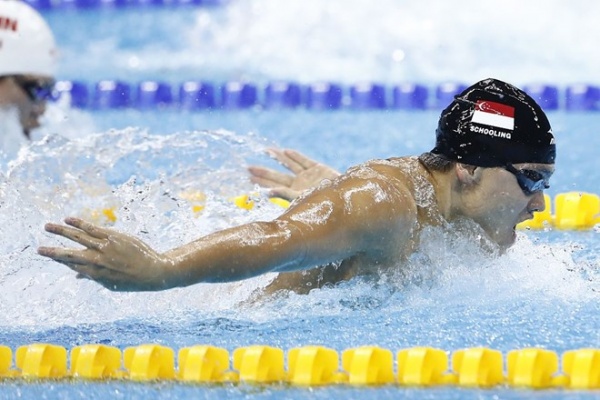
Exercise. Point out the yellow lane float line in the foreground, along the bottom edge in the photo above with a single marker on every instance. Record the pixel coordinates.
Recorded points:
(534, 368)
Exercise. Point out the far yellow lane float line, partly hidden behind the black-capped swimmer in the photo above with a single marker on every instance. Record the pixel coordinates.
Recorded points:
(572, 210)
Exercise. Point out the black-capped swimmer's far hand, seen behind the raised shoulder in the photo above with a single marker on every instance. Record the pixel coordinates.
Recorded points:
(306, 174)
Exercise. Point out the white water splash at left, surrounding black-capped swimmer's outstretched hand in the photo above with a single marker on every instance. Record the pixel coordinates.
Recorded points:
(141, 177)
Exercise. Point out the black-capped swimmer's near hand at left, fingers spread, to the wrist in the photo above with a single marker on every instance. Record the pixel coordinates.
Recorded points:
(117, 261)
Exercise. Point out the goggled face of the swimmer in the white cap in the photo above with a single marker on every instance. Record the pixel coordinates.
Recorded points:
(29, 94)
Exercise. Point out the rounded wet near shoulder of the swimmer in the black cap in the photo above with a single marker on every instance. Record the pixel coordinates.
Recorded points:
(368, 200)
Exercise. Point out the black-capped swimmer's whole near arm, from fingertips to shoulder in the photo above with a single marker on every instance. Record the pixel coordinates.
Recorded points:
(328, 225)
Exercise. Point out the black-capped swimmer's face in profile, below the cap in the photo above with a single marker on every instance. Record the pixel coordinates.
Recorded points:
(498, 202)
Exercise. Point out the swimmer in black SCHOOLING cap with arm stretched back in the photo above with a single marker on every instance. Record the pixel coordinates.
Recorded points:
(492, 160)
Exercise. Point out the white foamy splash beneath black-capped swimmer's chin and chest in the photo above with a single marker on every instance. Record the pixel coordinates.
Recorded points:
(450, 272)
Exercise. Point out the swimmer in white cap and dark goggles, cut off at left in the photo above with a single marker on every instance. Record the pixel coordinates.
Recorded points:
(27, 63)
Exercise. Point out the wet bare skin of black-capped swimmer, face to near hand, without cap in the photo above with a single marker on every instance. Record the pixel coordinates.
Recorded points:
(369, 217)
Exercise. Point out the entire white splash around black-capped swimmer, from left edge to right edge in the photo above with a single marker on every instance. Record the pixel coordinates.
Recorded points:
(143, 176)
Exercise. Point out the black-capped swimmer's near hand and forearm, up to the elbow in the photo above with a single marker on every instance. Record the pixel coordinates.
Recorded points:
(124, 263)
